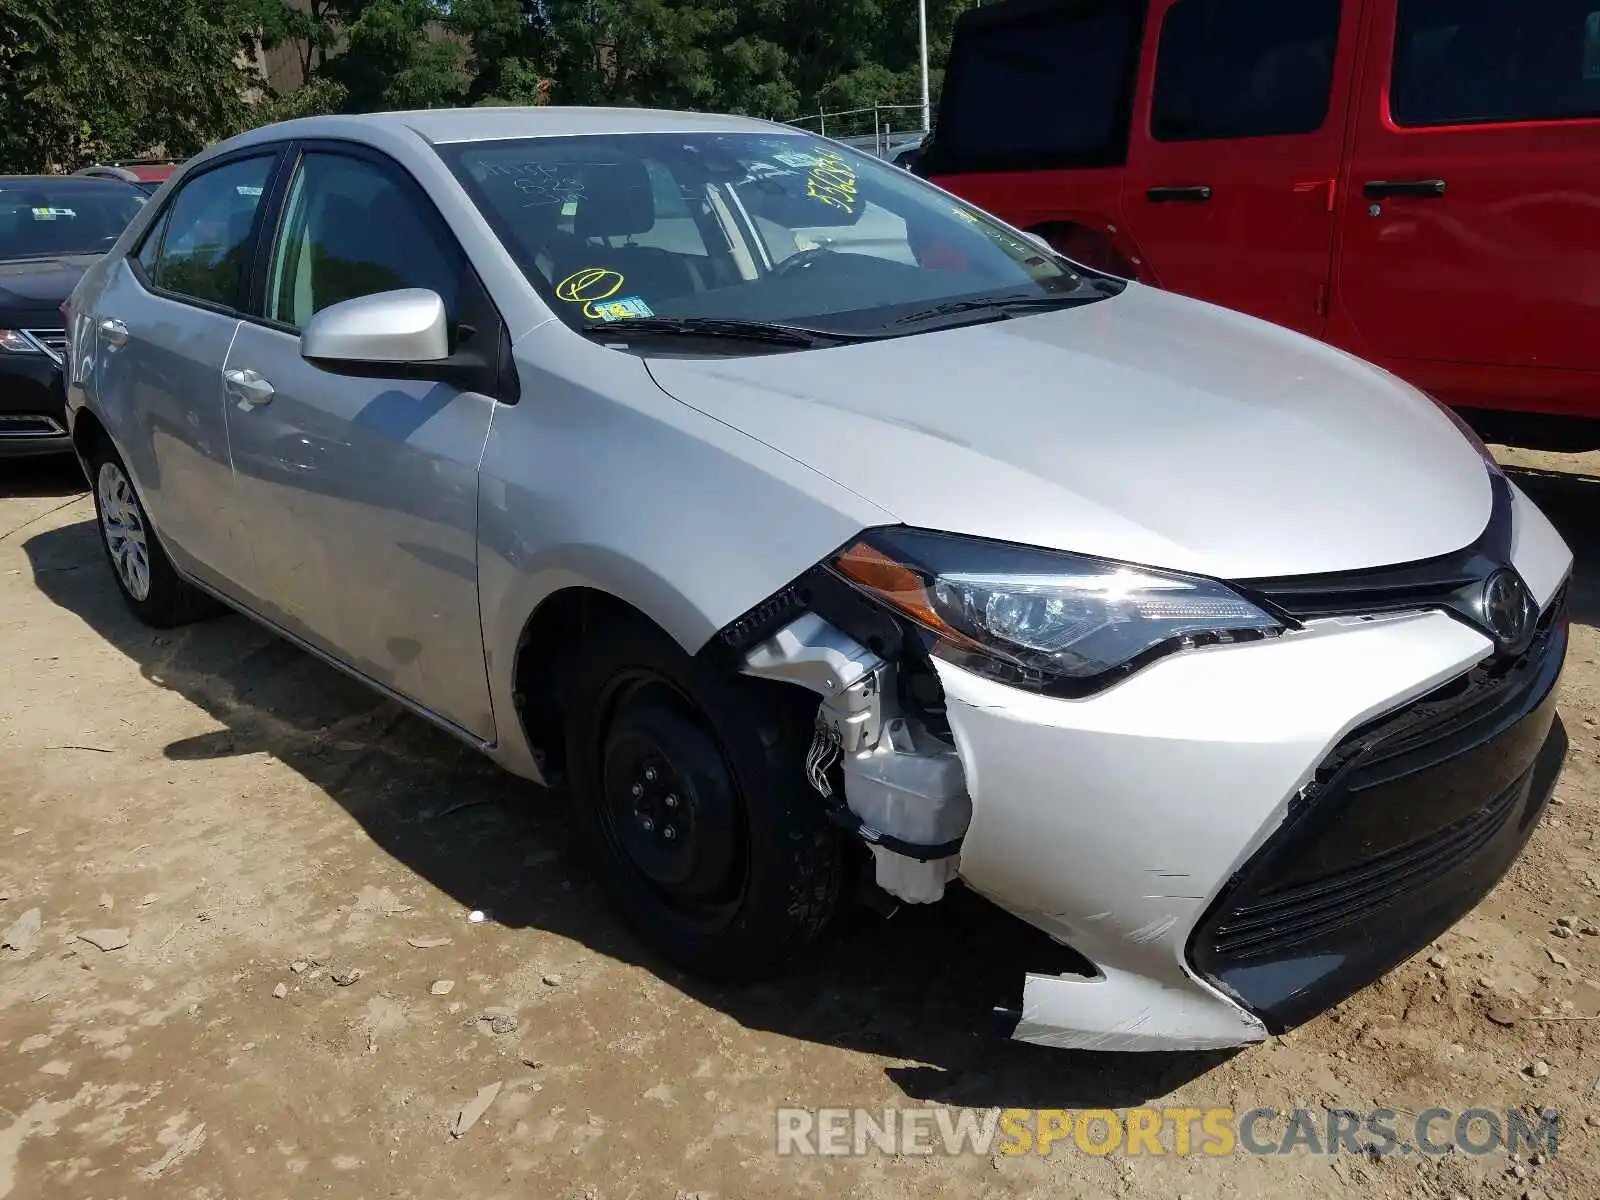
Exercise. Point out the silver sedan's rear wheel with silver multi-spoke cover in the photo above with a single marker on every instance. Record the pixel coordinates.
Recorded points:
(145, 575)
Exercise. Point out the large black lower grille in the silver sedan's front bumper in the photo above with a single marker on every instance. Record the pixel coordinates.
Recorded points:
(1406, 826)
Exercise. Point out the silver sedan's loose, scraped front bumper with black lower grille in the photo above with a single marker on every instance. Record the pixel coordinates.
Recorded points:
(1183, 833)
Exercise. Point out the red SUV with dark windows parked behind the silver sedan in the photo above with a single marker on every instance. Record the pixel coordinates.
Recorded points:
(1417, 182)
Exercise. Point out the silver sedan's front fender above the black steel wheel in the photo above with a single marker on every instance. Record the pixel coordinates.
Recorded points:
(599, 479)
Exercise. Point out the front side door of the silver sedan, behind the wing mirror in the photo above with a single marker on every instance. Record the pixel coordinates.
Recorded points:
(361, 494)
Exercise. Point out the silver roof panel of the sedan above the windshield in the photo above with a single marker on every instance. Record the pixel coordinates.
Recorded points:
(442, 127)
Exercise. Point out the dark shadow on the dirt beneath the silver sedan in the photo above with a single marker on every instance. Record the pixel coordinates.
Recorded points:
(919, 986)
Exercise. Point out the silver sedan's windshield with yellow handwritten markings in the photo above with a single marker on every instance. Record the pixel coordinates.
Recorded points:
(751, 228)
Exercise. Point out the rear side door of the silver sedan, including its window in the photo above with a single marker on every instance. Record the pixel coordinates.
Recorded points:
(162, 330)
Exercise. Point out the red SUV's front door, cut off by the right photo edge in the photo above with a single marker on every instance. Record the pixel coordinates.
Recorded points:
(1473, 225)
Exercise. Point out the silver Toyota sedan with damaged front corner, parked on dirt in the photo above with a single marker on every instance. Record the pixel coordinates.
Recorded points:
(801, 519)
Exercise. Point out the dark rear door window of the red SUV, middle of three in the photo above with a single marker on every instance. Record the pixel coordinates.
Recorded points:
(1244, 70)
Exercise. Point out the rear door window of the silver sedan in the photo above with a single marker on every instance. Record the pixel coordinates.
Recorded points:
(206, 254)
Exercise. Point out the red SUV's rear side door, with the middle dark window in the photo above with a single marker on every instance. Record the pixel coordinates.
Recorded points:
(1236, 153)
